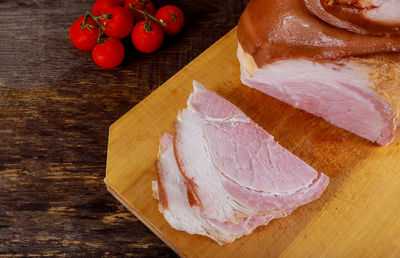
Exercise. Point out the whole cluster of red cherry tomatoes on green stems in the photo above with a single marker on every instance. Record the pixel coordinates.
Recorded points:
(100, 31)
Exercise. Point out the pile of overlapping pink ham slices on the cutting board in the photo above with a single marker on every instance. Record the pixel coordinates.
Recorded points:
(221, 175)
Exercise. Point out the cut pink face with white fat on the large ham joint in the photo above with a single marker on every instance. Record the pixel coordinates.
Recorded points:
(339, 92)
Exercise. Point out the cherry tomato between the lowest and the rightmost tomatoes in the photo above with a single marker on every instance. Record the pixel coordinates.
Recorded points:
(147, 37)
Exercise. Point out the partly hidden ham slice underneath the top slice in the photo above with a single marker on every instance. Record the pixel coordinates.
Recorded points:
(172, 191)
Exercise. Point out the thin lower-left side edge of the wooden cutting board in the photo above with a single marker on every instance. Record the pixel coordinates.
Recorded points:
(141, 218)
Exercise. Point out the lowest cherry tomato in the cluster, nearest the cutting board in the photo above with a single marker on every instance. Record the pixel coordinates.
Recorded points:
(109, 54)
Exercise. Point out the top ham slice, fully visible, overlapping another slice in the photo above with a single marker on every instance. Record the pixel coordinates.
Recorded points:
(233, 168)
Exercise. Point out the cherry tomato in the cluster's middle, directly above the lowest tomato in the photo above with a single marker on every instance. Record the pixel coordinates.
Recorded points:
(121, 23)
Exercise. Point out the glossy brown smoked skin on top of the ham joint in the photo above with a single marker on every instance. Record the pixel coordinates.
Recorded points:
(271, 30)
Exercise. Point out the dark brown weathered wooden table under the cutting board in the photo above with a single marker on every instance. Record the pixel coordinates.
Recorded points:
(55, 109)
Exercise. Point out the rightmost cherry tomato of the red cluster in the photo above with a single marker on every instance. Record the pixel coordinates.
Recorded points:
(173, 17)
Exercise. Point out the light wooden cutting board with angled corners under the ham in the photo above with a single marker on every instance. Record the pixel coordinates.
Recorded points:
(358, 215)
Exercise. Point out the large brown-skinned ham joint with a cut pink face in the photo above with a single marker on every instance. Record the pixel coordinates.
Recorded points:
(315, 55)
